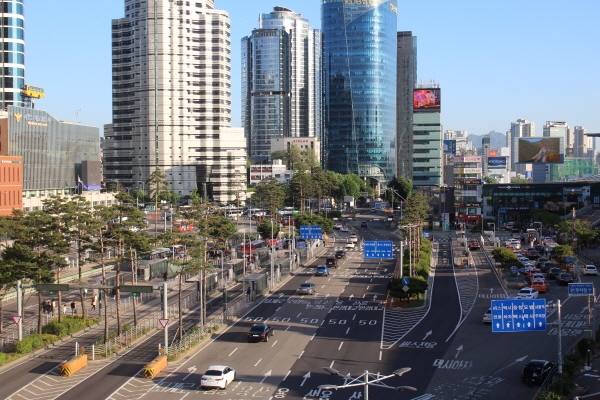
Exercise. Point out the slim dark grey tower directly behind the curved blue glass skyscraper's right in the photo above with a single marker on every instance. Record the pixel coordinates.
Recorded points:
(405, 83)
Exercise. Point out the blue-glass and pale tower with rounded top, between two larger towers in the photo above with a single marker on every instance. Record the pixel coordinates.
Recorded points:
(281, 81)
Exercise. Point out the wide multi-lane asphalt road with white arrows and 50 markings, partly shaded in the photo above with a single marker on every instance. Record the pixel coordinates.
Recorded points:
(451, 352)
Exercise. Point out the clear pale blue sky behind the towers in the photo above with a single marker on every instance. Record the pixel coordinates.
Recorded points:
(496, 61)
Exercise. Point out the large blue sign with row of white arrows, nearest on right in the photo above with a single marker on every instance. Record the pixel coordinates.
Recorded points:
(518, 315)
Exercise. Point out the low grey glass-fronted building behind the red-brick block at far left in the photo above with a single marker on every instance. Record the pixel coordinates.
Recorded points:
(52, 151)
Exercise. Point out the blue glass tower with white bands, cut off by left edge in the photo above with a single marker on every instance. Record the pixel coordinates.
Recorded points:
(12, 46)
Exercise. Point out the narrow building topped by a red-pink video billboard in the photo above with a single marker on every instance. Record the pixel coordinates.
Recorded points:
(427, 135)
